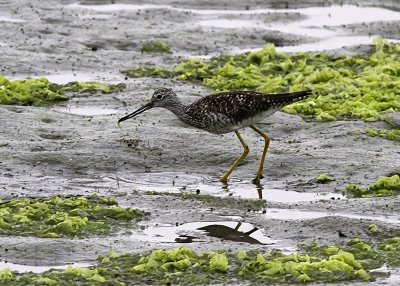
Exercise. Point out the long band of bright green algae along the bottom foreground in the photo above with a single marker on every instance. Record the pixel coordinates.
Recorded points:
(183, 266)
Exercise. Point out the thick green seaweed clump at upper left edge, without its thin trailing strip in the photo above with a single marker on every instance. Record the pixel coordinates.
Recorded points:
(29, 92)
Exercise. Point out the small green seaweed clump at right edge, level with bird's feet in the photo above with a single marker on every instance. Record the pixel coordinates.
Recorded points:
(383, 187)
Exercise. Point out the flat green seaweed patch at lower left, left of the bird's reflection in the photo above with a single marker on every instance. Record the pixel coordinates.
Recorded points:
(64, 216)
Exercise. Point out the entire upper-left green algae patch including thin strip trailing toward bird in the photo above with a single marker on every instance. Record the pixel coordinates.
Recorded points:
(40, 91)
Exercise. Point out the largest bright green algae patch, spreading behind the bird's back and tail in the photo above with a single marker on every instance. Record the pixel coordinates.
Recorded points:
(344, 87)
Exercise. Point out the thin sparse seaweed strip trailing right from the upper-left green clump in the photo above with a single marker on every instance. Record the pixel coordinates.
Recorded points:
(91, 87)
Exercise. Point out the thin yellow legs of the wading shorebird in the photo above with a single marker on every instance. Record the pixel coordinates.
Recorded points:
(259, 175)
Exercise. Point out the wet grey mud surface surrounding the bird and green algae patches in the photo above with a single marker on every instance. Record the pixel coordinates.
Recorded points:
(77, 148)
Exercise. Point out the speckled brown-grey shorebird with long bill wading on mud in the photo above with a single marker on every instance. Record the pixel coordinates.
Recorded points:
(223, 113)
